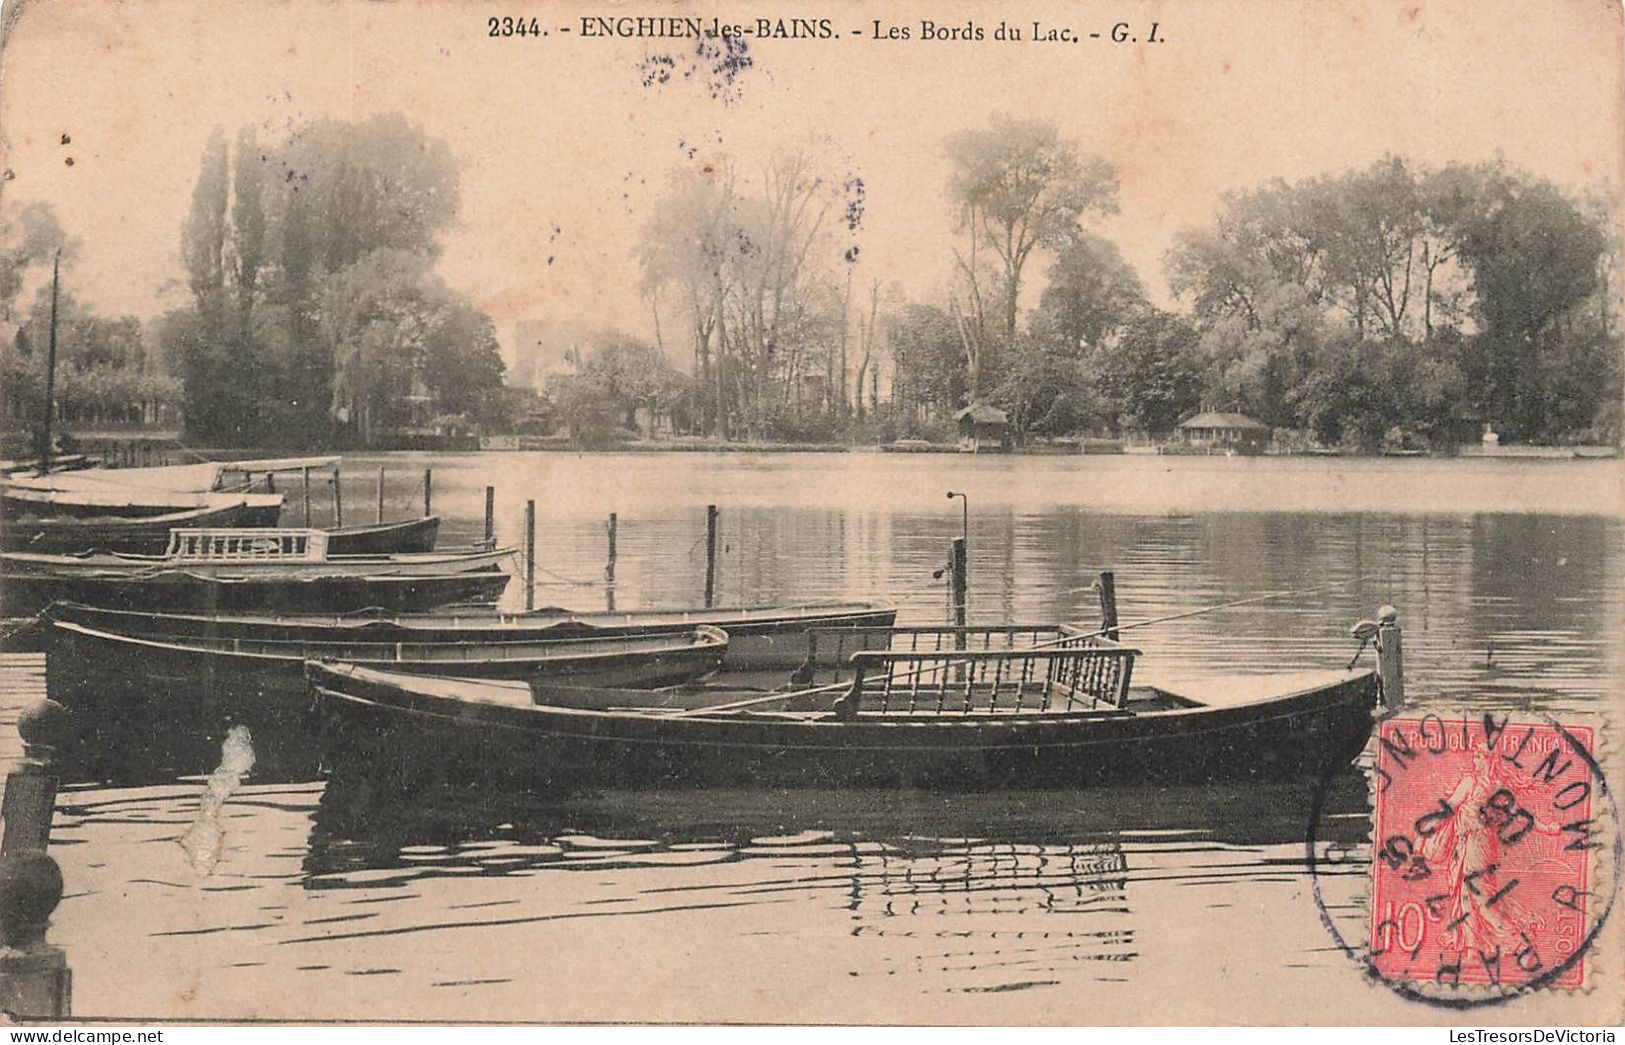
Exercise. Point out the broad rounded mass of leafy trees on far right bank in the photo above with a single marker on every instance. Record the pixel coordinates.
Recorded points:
(1470, 288)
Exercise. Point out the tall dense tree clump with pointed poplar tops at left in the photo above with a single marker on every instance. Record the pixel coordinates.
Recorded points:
(310, 267)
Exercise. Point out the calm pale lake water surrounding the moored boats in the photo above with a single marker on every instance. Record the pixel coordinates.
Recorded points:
(1114, 906)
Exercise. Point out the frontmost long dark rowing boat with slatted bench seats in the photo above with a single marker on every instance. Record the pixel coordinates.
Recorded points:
(1054, 716)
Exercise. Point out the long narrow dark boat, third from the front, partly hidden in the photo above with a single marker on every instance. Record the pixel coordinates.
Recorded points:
(758, 638)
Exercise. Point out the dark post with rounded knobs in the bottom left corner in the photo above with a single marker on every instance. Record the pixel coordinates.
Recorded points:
(35, 976)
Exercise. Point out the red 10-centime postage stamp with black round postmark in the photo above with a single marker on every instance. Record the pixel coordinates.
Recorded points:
(1483, 843)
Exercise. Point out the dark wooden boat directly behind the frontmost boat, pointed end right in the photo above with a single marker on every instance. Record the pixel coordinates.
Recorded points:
(274, 670)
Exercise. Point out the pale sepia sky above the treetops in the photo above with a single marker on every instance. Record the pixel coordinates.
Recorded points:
(565, 150)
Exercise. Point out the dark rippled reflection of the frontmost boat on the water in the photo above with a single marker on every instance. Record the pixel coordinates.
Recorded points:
(964, 893)
